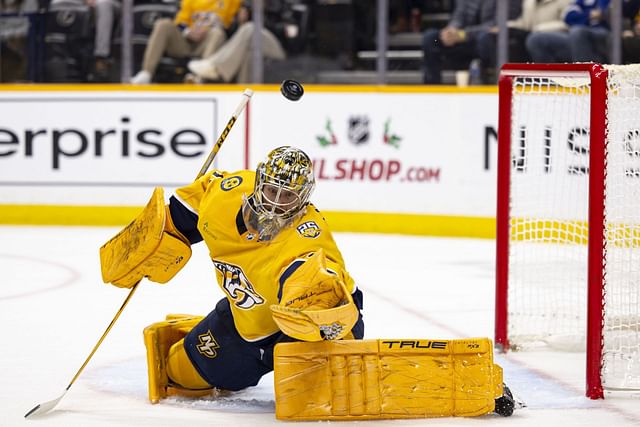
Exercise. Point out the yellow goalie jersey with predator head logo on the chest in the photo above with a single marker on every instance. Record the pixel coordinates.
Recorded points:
(250, 272)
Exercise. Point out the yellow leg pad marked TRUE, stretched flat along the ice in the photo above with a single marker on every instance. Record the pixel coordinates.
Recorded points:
(375, 379)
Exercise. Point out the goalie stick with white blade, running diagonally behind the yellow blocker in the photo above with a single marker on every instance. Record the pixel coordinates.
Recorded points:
(45, 407)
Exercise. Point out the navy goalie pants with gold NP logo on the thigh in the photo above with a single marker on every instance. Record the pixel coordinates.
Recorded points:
(225, 360)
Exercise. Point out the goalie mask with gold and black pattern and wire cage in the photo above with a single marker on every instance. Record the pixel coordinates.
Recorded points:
(284, 182)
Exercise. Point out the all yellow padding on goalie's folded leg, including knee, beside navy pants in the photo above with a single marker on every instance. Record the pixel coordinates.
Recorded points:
(159, 339)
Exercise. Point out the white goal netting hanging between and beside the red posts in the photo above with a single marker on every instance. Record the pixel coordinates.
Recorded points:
(549, 207)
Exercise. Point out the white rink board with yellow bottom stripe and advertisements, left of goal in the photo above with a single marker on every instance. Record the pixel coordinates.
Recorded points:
(417, 160)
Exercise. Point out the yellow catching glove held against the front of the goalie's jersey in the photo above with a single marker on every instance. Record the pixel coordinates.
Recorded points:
(315, 303)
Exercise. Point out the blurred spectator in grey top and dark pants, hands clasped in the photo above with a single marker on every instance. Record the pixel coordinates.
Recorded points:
(466, 36)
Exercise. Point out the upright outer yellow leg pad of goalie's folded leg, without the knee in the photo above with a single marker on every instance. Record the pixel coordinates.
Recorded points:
(159, 338)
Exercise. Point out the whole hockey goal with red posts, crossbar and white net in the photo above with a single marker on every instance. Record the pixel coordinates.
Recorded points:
(568, 216)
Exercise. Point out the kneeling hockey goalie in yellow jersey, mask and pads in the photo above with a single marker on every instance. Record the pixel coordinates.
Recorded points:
(290, 307)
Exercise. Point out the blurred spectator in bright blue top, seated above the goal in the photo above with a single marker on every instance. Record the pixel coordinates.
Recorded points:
(588, 30)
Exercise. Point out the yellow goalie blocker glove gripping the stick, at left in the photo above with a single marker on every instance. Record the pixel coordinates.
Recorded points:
(144, 248)
